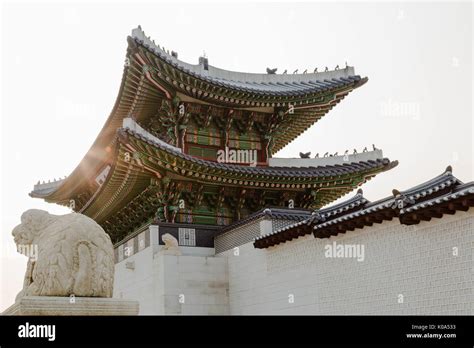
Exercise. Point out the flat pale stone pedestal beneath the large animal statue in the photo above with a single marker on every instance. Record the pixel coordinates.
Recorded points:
(51, 305)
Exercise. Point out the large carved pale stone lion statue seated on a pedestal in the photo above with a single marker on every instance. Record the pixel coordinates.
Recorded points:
(74, 255)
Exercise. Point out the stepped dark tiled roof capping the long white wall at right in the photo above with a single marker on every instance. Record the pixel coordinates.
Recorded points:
(444, 194)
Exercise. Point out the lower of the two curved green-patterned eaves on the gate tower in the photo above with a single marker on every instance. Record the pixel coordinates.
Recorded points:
(129, 177)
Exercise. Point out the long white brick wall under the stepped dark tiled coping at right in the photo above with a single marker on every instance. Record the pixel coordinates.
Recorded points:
(413, 263)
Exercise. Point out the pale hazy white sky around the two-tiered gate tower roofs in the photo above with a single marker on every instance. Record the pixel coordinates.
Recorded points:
(62, 65)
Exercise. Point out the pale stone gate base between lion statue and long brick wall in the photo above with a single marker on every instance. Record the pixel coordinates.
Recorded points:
(168, 284)
